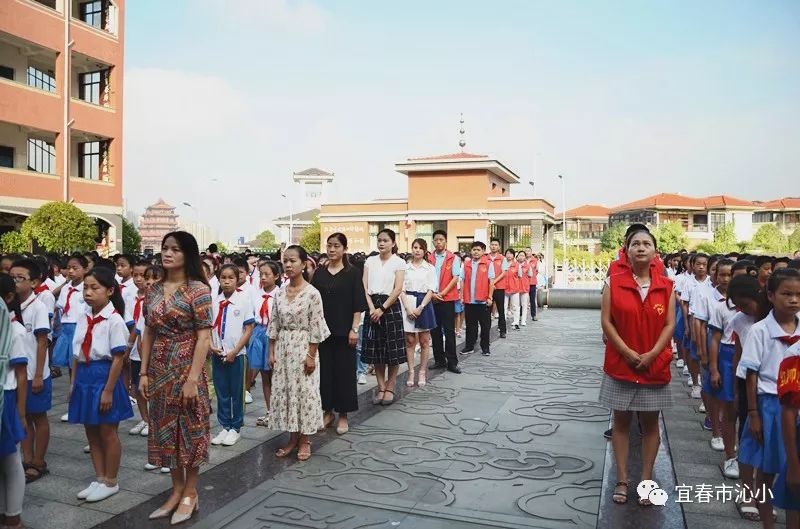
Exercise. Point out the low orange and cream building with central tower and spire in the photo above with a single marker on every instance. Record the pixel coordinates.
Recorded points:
(468, 195)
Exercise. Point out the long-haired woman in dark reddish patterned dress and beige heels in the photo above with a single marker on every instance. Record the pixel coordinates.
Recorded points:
(176, 340)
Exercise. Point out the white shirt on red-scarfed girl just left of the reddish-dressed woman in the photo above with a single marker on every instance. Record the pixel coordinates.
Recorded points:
(109, 337)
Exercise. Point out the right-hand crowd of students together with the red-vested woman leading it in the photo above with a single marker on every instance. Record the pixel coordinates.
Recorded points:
(733, 322)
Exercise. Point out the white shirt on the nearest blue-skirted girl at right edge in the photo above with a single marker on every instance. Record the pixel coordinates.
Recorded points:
(764, 352)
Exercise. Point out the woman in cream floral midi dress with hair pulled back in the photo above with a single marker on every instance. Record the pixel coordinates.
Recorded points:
(295, 331)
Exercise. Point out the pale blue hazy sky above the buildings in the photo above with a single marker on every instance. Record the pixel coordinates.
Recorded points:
(225, 99)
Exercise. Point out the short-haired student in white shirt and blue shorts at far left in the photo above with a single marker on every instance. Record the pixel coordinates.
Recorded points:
(39, 385)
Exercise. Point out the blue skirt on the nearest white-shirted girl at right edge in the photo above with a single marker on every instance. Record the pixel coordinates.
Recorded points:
(769, 457)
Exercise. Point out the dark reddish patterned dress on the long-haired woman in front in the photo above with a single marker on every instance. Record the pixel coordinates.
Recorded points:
(179, 437)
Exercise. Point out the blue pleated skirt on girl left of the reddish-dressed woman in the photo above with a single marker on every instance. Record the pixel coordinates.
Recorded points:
(84, 406)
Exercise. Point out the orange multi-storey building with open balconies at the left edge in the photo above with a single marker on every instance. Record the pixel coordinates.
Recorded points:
(61, 65)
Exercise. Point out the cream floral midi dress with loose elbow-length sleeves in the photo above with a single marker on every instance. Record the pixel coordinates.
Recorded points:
(296, 405)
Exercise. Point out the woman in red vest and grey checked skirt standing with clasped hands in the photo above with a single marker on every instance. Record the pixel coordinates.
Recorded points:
(638, 318)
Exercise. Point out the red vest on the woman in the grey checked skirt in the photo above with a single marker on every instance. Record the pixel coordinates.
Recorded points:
(639, 324)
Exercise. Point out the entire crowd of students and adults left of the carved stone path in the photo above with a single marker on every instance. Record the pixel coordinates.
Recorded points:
(99, 321)
